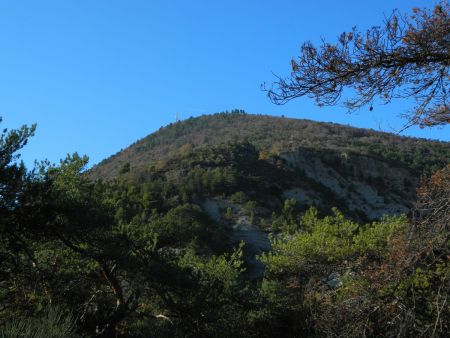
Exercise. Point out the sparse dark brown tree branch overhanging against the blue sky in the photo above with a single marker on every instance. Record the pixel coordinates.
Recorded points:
(407, 57)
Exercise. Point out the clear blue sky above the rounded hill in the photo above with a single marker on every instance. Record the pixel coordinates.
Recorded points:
(98, 75)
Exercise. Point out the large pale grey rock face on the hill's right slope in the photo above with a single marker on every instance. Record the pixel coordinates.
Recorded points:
(370, 185)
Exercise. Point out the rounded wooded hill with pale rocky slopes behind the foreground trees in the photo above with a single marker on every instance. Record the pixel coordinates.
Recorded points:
(252, 165)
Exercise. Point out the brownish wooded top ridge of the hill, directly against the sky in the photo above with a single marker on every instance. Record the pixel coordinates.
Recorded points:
(274, 135)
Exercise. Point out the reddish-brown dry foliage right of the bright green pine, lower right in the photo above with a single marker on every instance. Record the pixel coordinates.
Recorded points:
(390, 301)
